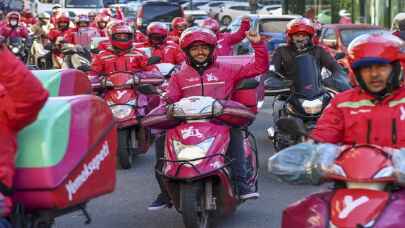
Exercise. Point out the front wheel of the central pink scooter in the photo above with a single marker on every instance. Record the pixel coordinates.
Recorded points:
(192, 206)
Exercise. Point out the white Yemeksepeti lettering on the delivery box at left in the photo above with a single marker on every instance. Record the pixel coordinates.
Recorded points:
(88, 169)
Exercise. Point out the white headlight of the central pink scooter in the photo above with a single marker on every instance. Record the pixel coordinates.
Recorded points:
(190, 152)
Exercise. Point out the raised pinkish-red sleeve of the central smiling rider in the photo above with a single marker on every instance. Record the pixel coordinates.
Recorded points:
(260, 64)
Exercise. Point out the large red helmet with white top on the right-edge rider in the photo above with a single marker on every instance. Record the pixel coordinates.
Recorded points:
(376, 48)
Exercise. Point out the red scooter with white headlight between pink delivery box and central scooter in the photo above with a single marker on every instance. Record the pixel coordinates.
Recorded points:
(119, 90)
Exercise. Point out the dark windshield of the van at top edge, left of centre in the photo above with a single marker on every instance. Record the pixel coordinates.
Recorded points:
(161, 12)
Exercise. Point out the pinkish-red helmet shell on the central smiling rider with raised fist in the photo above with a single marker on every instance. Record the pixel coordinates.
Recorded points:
(196, 34)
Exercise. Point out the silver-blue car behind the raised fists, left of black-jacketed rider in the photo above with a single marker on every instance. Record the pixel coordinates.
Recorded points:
(270, 26)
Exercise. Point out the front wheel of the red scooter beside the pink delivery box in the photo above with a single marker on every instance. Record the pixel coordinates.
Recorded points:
(125, 152)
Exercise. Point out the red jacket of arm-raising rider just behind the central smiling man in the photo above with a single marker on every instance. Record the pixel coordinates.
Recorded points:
(227, 40)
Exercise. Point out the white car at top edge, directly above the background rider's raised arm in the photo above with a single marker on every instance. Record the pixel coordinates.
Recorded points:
(230, 11)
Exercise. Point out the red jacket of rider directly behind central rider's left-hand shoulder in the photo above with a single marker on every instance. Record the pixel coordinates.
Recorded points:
(169, 52)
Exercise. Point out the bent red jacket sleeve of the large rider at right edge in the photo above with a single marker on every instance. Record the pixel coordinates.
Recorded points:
(330, 126)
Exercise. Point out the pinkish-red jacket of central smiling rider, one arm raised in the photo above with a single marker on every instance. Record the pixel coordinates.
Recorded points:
(218, 80)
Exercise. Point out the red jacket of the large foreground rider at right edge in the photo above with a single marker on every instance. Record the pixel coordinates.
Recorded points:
(353, 117)
